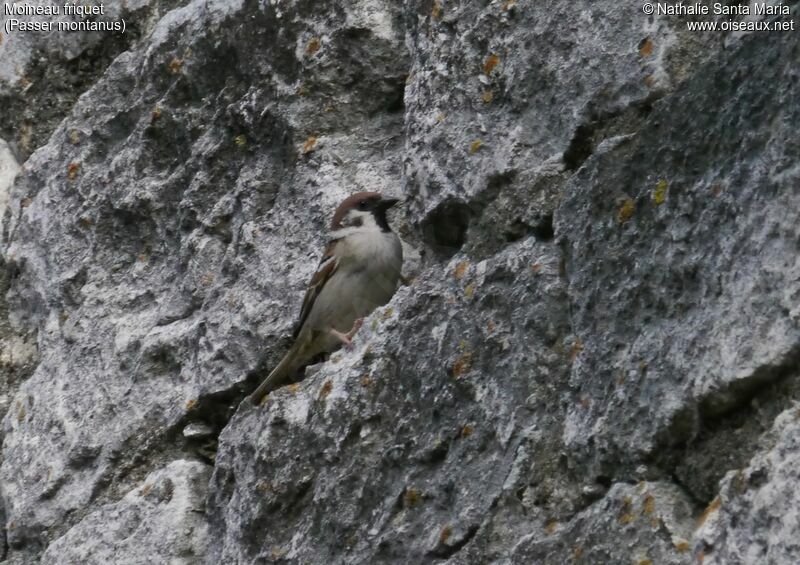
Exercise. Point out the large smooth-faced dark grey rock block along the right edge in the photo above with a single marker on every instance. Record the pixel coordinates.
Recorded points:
(680, 245)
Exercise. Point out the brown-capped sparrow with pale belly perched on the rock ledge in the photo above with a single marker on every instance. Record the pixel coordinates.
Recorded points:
(359, 271)
